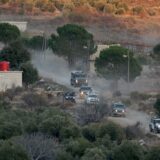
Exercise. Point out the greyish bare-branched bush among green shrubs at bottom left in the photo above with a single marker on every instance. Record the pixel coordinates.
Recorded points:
(37, 146)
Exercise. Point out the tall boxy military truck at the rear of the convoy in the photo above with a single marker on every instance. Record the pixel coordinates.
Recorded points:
(78, 78)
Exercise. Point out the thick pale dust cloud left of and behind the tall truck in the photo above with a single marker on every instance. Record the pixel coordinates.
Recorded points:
(51, 66)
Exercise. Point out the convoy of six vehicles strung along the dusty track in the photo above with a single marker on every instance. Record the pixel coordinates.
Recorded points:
(79, 79)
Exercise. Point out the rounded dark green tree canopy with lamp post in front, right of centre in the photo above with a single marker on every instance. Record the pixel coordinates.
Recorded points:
(113, 64)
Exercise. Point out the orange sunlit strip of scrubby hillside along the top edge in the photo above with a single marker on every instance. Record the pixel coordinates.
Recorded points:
(117, 7)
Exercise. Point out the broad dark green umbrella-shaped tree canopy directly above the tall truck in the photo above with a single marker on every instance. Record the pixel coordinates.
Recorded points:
(72, 41)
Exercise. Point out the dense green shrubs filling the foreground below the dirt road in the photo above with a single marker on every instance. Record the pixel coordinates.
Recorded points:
(50, 133)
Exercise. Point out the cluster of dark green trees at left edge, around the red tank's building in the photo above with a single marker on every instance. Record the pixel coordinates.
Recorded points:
(16, 53)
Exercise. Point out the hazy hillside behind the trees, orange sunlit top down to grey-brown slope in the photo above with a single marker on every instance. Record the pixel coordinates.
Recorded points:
(129, 22)
